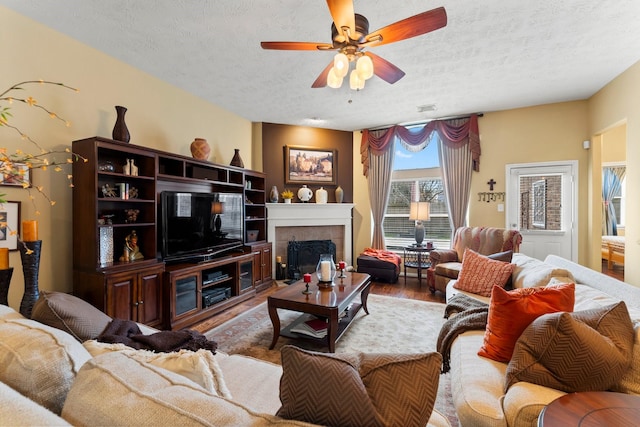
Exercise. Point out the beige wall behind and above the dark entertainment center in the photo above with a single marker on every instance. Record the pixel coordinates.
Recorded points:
(159, 115)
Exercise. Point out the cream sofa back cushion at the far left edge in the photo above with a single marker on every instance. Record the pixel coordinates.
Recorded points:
(39, 361)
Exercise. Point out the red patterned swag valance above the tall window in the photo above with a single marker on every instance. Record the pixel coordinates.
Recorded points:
(451, 132)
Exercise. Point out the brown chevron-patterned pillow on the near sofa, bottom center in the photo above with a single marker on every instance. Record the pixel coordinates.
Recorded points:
(358, 389)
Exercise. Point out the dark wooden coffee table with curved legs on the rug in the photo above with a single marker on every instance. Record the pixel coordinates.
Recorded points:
(335, 304)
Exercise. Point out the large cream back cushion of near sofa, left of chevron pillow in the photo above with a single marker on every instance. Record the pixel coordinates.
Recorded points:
(114, 389)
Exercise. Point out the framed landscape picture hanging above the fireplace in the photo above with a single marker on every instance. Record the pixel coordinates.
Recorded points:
(304, 165)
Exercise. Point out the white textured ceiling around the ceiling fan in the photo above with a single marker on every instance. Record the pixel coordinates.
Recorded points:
(492, 55)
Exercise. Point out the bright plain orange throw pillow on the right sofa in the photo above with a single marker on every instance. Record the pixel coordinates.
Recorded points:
(510, 312)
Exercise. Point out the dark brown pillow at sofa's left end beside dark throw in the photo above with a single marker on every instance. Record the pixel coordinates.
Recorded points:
(70, 314)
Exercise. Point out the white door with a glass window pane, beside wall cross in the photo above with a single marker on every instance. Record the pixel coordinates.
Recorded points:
(541, 203)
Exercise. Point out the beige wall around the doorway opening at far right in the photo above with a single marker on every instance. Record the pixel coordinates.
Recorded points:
(616, 104)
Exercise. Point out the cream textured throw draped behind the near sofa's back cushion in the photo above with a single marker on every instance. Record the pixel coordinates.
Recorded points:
(200, 366)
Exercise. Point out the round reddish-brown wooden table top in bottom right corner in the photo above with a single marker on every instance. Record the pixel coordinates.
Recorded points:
(591, 408)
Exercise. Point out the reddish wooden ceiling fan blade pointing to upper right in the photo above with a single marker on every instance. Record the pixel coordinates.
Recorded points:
(410, 27)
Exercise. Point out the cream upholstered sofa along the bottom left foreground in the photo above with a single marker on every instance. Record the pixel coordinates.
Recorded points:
(58, 376)
